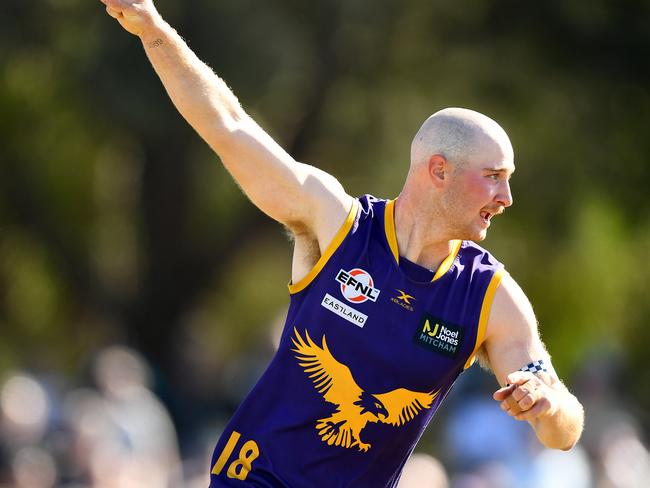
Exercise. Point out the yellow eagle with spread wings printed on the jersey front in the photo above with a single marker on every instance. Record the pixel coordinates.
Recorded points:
(355, 407)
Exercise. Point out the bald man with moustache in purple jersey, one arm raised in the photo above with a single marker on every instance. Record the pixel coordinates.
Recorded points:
(390, 300)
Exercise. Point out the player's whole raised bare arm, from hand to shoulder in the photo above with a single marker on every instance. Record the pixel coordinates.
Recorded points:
(295, 194)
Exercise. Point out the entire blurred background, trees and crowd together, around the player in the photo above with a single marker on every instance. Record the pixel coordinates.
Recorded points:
(141, 294)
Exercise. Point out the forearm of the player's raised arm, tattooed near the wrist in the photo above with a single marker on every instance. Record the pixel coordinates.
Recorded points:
(203, 98)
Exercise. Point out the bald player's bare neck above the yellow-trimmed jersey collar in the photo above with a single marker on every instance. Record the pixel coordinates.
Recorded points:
(418, 235)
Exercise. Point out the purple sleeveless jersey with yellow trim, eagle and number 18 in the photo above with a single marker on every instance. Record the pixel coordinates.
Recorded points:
(371, 345)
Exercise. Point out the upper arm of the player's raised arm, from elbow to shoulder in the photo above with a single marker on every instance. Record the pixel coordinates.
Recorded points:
(293, 193)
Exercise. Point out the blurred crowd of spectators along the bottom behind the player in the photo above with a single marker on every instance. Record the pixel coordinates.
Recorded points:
(113, 431)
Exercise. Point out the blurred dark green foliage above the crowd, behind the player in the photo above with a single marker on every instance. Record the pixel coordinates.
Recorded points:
(118, 224)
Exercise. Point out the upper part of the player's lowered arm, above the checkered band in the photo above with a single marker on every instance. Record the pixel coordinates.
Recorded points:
(512, 340)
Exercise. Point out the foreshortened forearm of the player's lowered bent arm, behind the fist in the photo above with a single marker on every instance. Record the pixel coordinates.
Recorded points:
(562, 429)
